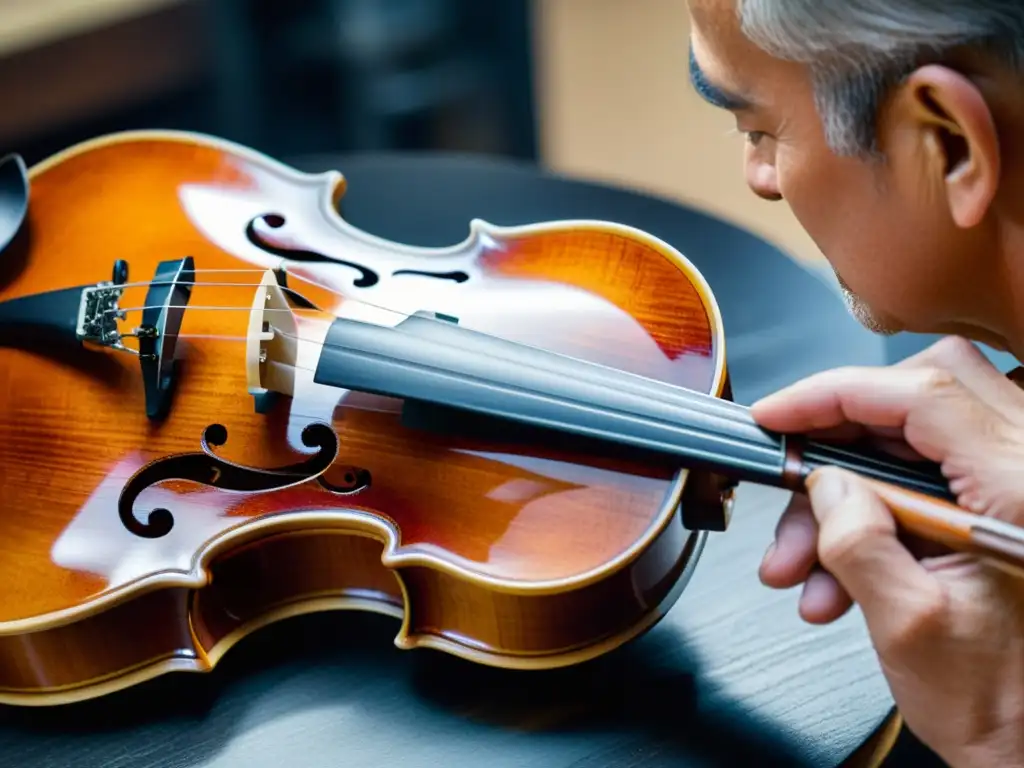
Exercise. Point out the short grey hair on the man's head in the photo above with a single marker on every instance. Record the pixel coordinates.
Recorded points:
(859, 50)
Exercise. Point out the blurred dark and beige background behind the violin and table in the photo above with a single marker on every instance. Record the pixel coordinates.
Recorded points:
(592, 89)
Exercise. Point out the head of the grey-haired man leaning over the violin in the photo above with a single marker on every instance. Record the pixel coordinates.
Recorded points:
(895, 132)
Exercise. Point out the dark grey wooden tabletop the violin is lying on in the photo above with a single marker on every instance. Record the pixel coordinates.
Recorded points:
(731, 677)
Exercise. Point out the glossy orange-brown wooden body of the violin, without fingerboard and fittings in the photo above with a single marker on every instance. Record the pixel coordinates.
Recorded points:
(502, 551)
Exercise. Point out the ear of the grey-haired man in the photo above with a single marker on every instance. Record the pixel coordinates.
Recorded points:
(956, 132)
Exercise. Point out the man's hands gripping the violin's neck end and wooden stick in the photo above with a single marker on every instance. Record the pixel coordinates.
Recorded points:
(949, 630)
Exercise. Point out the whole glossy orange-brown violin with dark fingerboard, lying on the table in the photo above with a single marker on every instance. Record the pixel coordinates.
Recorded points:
(222, 406)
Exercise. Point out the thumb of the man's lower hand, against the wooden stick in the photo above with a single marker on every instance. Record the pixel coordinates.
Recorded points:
(858, 544)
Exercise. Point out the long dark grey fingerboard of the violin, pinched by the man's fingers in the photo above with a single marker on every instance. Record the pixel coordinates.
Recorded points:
(432, 360)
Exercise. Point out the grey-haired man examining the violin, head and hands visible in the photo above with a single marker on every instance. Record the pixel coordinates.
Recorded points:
(894, 131)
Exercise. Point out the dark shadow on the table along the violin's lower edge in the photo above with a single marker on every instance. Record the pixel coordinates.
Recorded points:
(649, 695)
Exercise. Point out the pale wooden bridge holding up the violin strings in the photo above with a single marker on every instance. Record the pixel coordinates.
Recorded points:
(272, 345)
